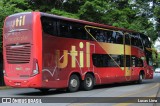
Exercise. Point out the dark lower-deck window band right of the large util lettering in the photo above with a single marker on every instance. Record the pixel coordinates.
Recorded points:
(104, 60)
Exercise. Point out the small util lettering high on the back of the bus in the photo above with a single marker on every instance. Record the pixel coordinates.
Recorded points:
(20, 21)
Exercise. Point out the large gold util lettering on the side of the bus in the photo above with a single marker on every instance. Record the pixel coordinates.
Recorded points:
(77, 57)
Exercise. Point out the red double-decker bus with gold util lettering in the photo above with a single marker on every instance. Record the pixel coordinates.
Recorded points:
(45, 51)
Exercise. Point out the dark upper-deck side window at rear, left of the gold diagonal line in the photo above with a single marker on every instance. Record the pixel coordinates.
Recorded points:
(62, 28)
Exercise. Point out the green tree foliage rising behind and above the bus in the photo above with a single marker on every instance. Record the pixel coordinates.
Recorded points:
(130, 14)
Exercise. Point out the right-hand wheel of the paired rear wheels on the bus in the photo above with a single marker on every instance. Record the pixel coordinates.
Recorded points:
(88, 82)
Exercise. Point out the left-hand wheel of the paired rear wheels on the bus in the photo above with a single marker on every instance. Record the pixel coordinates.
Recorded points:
(74, 83)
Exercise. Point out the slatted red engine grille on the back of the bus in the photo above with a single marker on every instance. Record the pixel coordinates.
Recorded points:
(18, 54)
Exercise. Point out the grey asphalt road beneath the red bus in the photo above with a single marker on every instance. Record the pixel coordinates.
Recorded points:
(96, 97)
